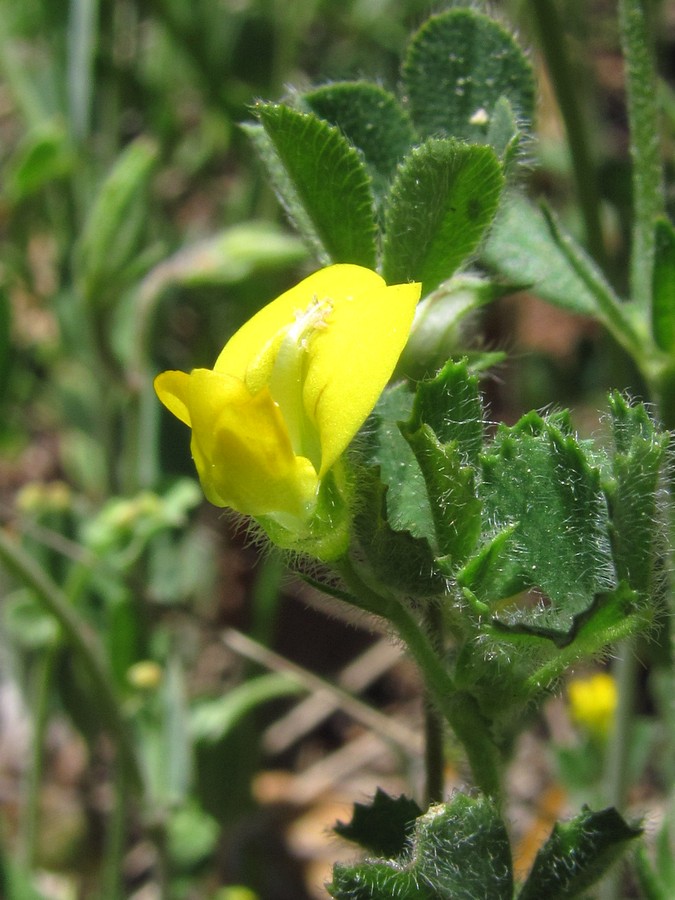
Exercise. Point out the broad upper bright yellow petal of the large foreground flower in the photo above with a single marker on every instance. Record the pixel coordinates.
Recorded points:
(349, 361)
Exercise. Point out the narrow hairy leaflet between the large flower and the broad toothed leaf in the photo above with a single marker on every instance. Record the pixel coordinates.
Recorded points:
(450, 484)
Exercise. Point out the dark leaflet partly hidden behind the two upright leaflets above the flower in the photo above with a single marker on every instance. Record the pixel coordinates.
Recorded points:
(372, 119)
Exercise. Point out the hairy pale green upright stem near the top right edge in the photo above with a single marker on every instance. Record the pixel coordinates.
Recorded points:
(643, 116)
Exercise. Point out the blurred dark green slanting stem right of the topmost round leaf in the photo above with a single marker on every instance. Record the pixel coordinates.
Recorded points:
(565, 81)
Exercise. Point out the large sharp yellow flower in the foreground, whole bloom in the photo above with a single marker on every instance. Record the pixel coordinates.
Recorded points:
(290, 390)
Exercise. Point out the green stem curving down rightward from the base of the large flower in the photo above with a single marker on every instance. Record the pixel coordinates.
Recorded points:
(459, 708)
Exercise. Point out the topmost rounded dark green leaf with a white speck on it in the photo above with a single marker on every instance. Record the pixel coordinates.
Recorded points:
(457, 68)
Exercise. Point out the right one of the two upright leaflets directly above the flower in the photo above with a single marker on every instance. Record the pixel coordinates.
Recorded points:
(443, 198)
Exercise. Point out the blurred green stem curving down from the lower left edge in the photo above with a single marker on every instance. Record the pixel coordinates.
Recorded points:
(85, 645)
